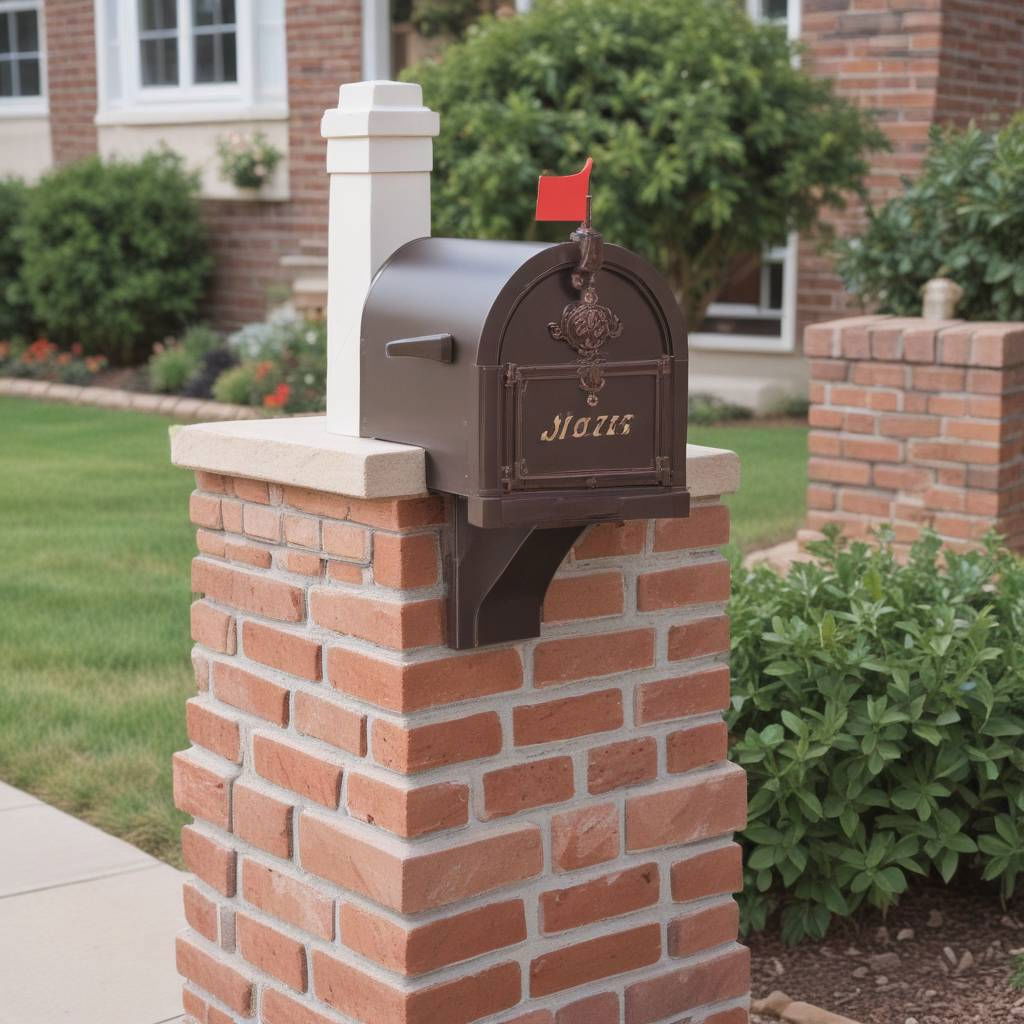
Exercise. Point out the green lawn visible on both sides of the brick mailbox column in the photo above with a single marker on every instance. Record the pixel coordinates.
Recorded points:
(95, 553)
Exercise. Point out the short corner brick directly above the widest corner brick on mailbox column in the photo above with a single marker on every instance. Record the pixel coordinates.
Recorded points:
(408, 813)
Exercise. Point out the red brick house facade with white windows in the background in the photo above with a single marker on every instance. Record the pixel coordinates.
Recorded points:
(119, 77)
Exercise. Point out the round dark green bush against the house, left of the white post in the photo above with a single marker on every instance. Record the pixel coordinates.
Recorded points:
(115, 254)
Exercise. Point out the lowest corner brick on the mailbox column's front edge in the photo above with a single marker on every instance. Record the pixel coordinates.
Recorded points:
(461, 1002)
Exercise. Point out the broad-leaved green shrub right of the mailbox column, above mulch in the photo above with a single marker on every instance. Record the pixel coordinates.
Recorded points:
(879, 710)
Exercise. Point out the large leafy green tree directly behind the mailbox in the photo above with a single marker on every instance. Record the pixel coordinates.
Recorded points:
(709, 143)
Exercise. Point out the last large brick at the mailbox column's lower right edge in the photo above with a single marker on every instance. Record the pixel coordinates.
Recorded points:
(724, 977)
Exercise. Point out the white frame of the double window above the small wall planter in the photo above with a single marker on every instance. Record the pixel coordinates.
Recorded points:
(187, 102)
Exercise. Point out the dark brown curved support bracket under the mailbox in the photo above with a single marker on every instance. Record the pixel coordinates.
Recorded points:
(497, 578)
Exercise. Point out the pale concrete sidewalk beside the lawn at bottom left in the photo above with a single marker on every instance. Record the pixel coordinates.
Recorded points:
(88, 923)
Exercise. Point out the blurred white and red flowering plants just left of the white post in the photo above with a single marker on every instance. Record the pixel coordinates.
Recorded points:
(283, 366)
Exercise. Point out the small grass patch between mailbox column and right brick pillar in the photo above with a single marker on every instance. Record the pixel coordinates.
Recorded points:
(770, 506)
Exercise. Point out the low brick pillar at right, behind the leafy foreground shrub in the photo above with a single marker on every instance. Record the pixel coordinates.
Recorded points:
(918, 423)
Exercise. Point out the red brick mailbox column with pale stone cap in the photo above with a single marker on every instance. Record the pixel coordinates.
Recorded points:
(391, 832)
